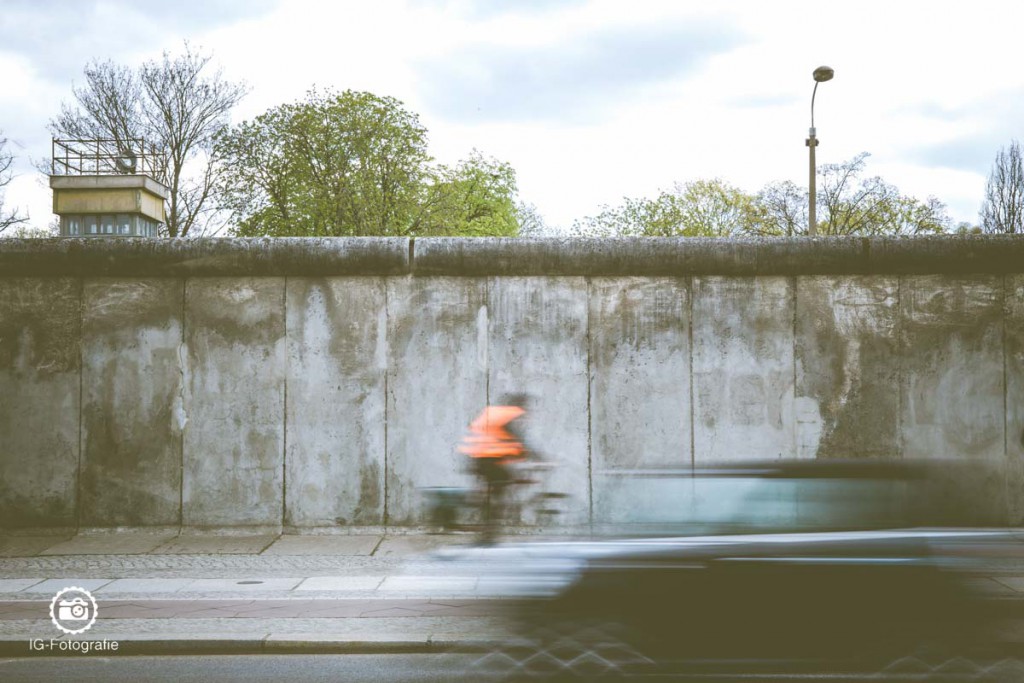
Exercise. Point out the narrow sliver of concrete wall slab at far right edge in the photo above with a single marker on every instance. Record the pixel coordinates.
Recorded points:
(1014, 339)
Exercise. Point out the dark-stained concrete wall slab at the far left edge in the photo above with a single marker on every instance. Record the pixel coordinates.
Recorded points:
(40, 400)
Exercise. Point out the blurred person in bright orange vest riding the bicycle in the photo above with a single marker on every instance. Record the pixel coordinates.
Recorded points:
(494, 444)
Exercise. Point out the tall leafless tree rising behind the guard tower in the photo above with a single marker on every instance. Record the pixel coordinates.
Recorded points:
(179, 106)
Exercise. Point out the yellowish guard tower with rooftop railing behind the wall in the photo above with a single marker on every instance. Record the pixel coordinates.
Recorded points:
(107, 189)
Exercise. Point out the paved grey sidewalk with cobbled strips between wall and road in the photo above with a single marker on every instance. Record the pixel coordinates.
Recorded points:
(161, 593)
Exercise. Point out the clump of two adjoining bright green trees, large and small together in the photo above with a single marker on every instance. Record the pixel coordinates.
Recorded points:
(357, 164)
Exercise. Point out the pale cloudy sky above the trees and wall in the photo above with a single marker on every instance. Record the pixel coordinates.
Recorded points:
(589, 101)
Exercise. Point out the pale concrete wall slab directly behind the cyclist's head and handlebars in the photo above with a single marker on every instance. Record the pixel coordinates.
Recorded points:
(538, 334)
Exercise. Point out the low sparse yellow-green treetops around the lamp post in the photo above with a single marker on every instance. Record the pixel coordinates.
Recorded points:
(849, 204)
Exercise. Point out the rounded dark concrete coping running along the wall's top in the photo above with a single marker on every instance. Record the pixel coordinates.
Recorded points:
(509, 257)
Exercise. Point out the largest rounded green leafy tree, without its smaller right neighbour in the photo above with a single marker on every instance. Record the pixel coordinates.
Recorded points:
(350, 164)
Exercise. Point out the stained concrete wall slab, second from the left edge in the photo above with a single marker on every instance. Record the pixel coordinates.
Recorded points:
(133, 413)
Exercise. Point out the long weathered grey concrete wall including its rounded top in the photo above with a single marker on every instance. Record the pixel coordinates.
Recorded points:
(317, 385)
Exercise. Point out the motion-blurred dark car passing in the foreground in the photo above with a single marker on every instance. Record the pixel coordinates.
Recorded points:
(849, 571)
